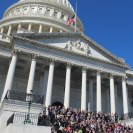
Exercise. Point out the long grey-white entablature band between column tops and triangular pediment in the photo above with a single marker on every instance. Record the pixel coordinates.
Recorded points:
(62, 55)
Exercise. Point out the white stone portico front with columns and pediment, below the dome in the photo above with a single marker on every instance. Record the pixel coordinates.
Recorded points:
(58, 77)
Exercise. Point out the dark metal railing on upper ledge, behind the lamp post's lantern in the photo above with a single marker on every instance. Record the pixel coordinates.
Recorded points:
(21, 96)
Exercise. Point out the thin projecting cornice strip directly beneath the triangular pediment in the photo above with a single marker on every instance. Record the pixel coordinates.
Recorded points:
(36, 43)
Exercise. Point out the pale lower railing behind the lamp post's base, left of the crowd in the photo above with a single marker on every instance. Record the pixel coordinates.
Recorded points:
(19, 118)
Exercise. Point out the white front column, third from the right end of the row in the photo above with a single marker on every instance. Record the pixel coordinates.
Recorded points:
(99, 100)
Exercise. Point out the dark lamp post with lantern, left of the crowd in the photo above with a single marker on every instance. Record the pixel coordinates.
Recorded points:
(29, 99)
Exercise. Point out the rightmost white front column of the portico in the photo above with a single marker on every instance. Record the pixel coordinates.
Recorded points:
(125, 96)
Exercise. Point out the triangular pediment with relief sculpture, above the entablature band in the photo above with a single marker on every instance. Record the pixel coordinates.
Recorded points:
(78, 44)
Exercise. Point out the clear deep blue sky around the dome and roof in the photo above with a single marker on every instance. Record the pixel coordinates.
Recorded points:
(107, 22)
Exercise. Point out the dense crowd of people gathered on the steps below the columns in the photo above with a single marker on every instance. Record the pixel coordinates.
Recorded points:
(75, 121)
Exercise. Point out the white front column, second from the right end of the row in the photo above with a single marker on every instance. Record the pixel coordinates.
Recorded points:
(112, 94)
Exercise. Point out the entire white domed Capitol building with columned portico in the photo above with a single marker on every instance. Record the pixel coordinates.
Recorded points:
(40, 53)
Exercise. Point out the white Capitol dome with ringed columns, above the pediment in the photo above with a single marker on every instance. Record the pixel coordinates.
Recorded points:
(39, 16)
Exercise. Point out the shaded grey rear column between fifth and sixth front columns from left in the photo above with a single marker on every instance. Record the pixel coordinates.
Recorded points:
(90, 106)
